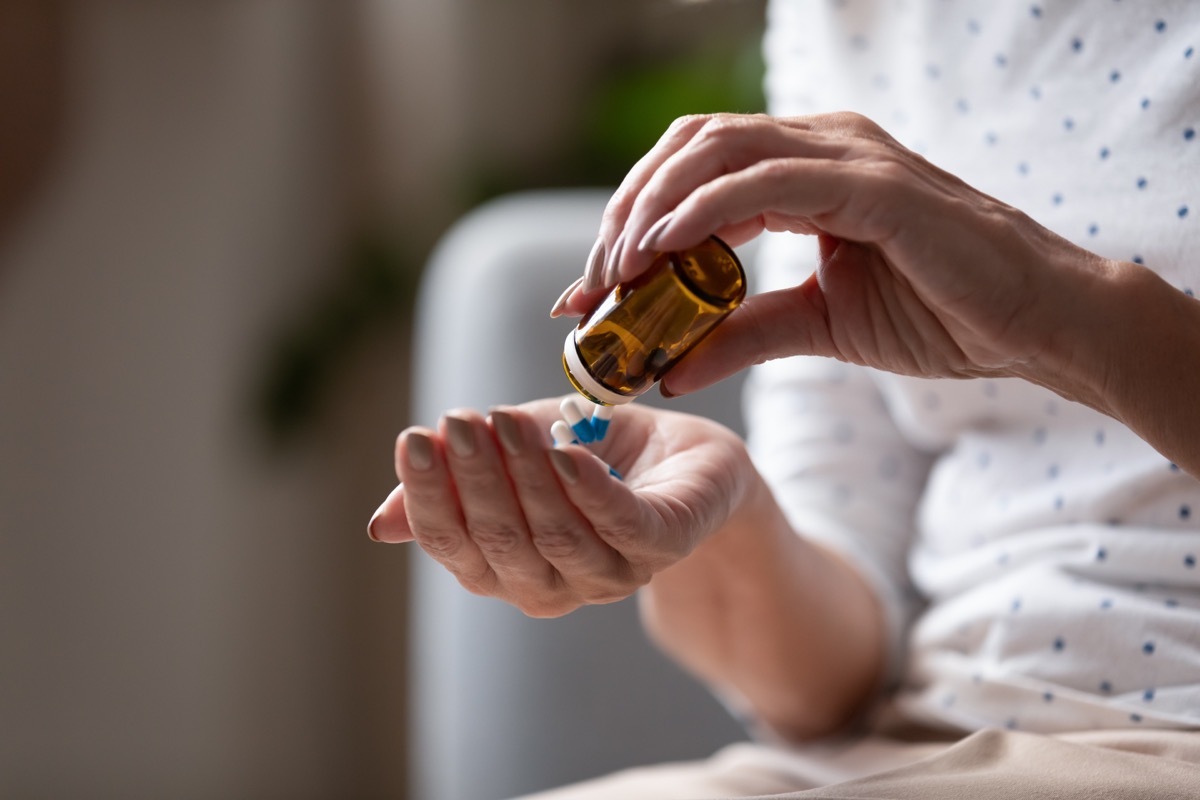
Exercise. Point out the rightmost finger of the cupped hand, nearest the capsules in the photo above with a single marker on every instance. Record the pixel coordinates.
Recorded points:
(616, 515)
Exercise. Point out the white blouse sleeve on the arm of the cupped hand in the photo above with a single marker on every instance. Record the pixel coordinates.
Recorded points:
(841, 470)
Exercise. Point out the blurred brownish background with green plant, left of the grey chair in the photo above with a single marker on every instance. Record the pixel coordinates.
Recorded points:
(213, 216)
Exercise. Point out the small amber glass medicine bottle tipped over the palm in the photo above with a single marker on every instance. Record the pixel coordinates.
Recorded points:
(628, 342)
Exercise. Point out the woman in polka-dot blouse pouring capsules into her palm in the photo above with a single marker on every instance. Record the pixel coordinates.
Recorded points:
(909, 567)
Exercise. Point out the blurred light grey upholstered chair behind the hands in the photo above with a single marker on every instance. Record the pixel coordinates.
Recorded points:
(503, 705)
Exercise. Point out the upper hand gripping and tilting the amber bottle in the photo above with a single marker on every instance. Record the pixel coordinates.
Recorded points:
(920, 274)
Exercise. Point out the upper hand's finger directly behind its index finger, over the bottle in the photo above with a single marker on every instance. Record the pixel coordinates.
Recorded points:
(724, 146)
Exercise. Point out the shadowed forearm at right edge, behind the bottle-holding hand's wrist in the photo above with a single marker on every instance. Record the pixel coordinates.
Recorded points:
(1138, 359)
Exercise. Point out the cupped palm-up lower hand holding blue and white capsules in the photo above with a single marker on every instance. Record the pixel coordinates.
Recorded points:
(549, 530)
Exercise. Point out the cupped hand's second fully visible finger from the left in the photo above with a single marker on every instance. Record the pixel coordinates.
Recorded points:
(494, 516)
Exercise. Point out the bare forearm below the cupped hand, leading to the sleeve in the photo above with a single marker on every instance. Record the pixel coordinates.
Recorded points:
(773, 619)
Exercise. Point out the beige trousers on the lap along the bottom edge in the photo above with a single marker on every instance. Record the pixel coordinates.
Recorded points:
(986, 766)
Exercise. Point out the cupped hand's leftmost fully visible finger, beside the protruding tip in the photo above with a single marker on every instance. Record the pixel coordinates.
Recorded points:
(434, 514)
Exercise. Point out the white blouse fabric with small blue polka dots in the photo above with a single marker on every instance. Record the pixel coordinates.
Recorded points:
(1055, 548)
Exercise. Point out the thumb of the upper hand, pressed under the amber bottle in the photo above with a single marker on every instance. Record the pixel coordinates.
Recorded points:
(766, 327)
